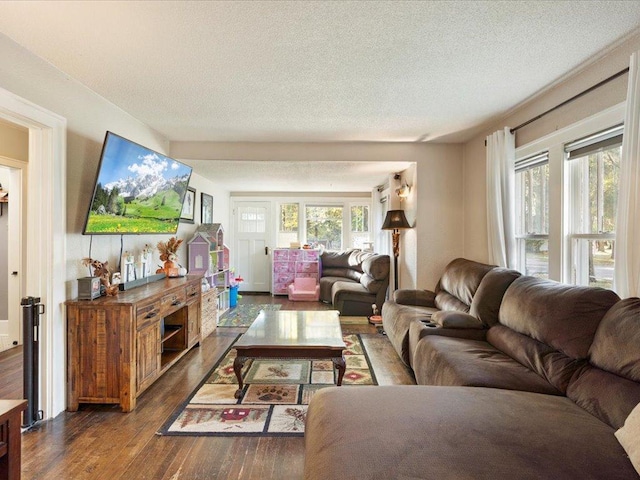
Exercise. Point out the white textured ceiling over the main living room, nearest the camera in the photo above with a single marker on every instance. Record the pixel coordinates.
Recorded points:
(320, 71)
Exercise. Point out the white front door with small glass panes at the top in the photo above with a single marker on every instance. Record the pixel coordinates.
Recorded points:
(251, 245)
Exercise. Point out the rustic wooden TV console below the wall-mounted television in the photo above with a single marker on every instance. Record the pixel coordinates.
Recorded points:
(118, 346)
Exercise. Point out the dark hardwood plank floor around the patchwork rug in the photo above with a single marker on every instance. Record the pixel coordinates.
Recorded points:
(100, 442)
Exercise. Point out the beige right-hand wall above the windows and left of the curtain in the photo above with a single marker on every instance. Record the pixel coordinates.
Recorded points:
(610, 62)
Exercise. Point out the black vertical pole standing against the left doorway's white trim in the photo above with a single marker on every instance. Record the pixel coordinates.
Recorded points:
(30, 322)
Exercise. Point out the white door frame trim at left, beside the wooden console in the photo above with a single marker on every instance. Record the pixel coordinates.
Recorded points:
(45, 251)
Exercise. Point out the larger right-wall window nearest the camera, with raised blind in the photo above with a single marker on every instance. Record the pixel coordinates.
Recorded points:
(594, 166)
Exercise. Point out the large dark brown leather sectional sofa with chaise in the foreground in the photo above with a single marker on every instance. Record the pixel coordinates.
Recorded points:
(528, 379)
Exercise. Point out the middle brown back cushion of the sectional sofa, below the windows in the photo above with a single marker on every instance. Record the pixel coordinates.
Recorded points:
(563, 316)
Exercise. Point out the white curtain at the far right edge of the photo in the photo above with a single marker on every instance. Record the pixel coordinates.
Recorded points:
(627, 248)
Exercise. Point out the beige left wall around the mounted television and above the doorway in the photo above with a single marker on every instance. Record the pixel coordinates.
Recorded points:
(88, 116)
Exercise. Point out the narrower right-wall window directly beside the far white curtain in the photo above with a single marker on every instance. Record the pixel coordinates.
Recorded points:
(532, 214)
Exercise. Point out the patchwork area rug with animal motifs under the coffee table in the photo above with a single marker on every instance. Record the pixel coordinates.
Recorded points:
(276, 395)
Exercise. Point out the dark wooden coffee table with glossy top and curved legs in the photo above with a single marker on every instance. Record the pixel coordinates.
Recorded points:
(292, 334)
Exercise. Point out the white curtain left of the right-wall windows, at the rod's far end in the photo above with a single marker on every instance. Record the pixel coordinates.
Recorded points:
(501, 154)
